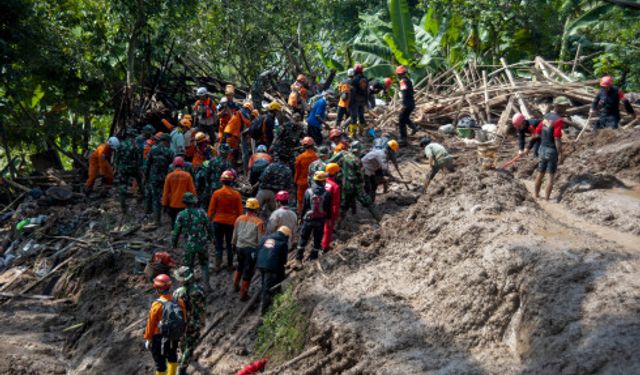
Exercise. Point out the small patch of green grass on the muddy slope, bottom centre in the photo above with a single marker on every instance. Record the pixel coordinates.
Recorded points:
(283, 328)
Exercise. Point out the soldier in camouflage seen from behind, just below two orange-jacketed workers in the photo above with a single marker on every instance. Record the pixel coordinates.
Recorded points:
(194, 223)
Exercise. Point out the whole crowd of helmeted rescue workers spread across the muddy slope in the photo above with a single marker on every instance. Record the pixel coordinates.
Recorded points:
(300, 186)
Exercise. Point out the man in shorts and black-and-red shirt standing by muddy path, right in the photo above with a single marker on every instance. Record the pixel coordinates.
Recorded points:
(550, 152)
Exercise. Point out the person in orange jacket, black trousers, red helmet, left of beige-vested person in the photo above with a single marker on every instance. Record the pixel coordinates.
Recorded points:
(224, 208)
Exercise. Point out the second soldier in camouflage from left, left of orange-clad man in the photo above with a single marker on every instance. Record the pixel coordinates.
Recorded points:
(156, 167)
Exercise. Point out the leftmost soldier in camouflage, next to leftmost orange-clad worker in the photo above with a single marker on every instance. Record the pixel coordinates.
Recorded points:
(127, 165)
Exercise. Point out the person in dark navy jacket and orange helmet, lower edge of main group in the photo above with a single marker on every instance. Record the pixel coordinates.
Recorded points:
(272, 257)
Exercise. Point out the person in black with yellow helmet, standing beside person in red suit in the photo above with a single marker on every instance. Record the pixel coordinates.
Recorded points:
(316, 210)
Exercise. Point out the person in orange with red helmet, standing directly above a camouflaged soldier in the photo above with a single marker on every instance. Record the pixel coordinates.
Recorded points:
(176, 184)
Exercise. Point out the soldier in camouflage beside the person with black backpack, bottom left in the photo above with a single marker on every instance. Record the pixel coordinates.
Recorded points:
(195, 303)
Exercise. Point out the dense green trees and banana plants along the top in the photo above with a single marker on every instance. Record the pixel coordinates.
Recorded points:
(65, 63)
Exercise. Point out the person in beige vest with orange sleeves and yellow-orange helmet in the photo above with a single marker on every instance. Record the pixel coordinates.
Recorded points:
(247, 234)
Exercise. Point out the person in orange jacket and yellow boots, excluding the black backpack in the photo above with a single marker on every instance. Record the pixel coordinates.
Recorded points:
(163, 350)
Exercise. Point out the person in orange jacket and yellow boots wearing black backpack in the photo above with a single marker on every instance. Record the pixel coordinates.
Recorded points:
(165, 327)
